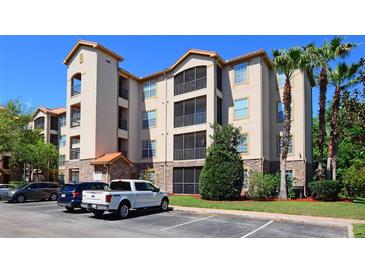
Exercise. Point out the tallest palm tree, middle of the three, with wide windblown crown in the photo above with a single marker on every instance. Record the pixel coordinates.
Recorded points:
(320, 58)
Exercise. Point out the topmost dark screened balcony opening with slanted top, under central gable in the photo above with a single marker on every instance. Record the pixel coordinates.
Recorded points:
(191, 79)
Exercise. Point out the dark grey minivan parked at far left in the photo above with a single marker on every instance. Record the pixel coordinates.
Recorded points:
(34, 191)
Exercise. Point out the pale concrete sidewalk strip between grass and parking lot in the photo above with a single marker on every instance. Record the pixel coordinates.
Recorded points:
(275, 216)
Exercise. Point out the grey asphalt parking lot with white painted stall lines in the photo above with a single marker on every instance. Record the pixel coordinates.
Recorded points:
(46, 219)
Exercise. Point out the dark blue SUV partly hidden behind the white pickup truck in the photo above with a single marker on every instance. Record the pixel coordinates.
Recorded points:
(71, 194)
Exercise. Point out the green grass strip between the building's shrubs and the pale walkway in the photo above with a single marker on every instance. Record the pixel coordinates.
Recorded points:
(346, 210)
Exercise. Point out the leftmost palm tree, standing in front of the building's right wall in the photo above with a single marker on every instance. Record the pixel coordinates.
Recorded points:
(287, 62)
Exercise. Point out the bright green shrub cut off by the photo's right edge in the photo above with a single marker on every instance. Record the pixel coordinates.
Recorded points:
(354, 182)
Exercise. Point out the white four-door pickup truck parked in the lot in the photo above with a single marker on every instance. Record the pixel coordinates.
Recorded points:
(123, 196)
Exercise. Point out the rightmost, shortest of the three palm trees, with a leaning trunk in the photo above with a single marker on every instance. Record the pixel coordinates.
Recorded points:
(342, 77)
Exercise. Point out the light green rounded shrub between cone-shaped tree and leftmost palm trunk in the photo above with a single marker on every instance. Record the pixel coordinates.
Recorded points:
(263, 186)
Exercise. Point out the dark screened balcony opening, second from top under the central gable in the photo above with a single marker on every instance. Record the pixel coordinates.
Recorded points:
(190, 112)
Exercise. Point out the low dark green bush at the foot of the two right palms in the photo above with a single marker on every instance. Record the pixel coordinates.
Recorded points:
(325, 190)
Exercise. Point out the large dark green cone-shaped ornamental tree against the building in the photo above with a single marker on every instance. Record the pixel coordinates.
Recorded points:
(222, 175)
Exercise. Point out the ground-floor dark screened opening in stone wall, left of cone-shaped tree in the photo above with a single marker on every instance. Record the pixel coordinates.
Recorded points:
(186, 180)
